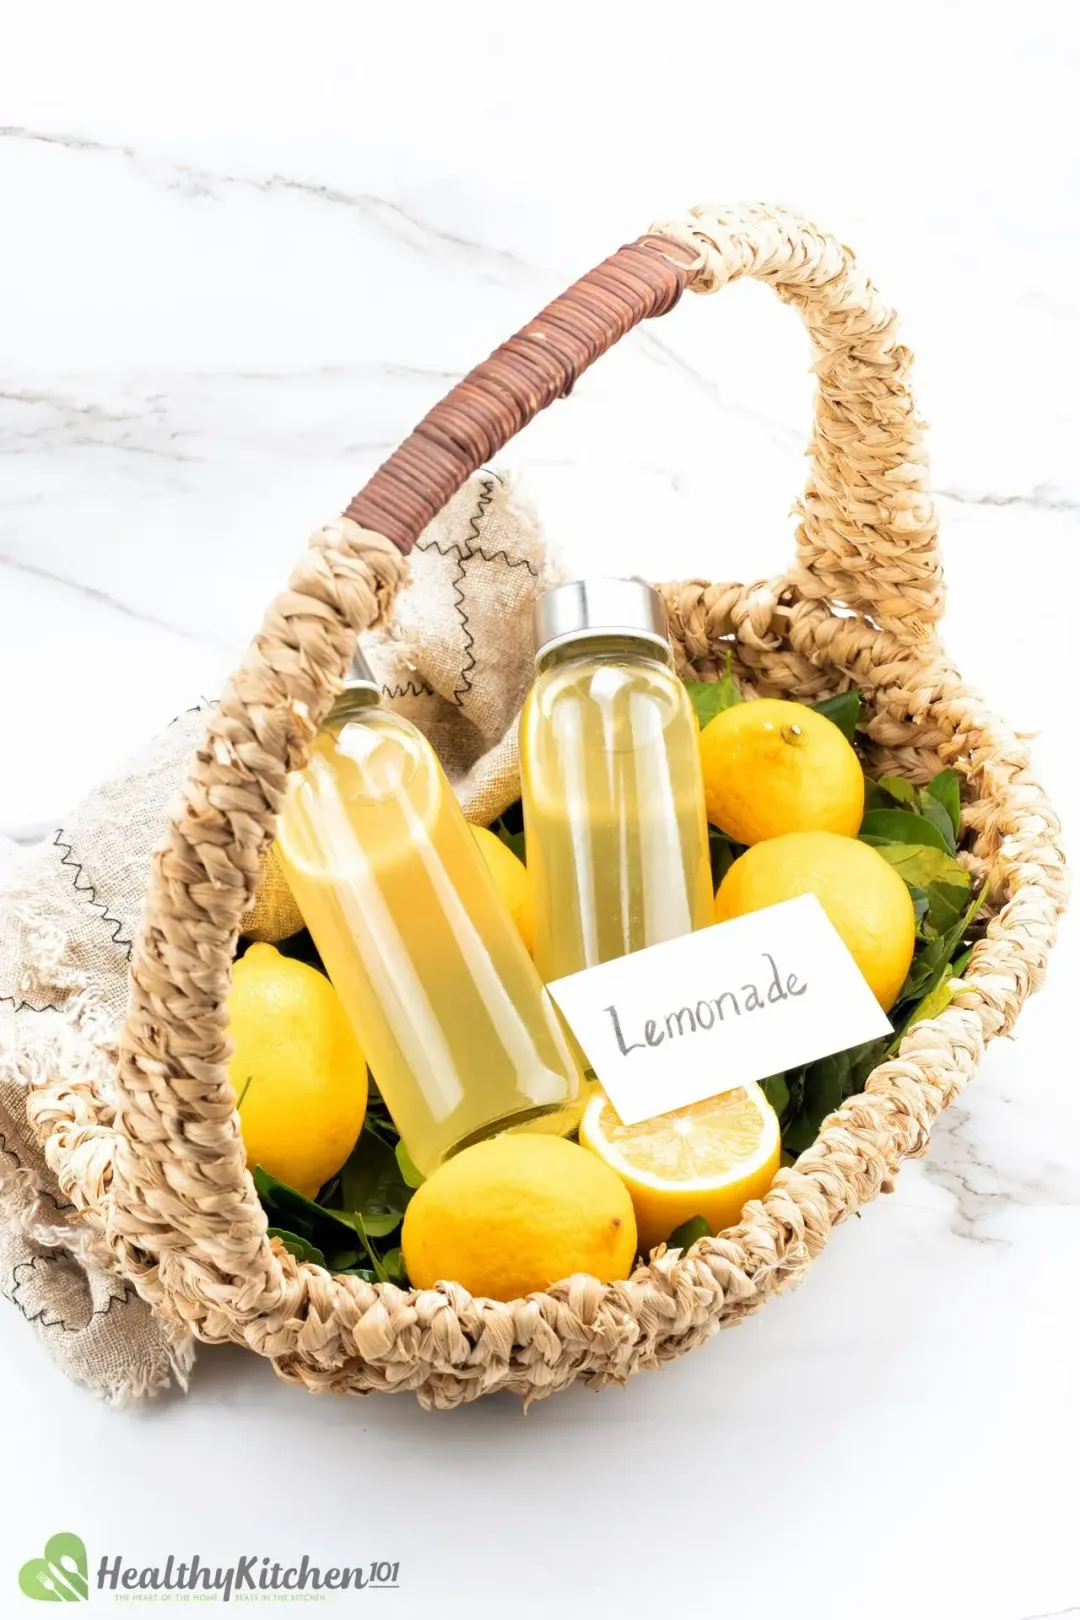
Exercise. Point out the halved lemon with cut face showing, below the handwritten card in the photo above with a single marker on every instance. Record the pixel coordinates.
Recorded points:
(707, 1159)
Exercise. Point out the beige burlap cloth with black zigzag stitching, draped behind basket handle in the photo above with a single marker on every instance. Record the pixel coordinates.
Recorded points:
(459, 663)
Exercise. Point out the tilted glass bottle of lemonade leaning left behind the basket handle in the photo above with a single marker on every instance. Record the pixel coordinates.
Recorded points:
(448, 1004)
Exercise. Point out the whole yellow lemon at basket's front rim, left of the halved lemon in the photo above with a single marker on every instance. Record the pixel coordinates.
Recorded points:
(517, 1214)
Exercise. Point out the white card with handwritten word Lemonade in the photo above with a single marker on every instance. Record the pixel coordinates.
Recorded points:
(720, 1008)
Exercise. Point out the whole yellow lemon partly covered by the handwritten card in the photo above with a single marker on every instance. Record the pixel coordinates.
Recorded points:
(867, 902)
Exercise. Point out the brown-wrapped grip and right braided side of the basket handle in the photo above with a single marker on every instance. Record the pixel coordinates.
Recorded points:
(869, 537)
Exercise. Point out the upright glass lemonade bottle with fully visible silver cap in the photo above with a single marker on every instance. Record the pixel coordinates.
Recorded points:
(611, 780)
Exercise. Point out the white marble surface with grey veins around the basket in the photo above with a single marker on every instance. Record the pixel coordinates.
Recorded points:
(244, 249)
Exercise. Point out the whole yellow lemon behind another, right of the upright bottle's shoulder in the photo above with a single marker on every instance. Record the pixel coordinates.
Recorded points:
(773, 769)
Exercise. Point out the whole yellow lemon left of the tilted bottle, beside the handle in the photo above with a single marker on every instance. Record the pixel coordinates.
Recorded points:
(297, 1068)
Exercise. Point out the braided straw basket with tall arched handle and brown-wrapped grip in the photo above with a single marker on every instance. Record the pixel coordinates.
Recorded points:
(164, 1179)
